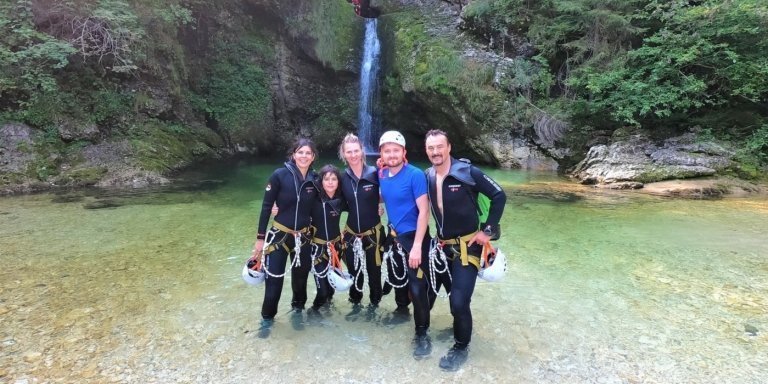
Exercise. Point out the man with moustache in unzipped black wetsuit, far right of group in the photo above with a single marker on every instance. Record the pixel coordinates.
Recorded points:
(453, 186)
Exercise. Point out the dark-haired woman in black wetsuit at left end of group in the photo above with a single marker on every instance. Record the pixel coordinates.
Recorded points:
(292, 190)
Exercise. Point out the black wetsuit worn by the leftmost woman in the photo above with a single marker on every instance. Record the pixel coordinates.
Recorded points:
(294, 197)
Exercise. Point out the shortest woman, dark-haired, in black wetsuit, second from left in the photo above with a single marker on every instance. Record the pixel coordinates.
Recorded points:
(326, 239)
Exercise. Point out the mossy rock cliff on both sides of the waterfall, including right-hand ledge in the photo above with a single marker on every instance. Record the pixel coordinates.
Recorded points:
(434, 75)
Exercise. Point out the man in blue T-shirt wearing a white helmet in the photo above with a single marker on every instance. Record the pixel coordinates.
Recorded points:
(404, 191)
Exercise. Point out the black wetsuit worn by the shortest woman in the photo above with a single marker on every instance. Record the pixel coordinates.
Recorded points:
(326, 216)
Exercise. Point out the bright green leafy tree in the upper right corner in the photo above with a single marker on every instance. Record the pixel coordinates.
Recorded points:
(704, 56)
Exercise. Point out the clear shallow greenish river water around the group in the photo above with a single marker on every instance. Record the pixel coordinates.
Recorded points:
(602, 287)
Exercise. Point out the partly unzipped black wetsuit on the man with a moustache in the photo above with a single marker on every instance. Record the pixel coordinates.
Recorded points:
(458, 221)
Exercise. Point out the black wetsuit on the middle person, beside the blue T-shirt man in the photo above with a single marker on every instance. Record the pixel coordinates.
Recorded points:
(362, 197)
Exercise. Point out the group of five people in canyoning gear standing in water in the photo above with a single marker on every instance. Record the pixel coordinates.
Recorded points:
(306, 230)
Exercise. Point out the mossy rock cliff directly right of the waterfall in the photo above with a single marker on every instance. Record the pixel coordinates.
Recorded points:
(436, 76)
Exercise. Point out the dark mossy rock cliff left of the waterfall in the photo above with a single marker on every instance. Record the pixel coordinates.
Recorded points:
(308, 55)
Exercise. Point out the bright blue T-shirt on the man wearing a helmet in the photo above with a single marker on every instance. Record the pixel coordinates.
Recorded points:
(400, 193)
